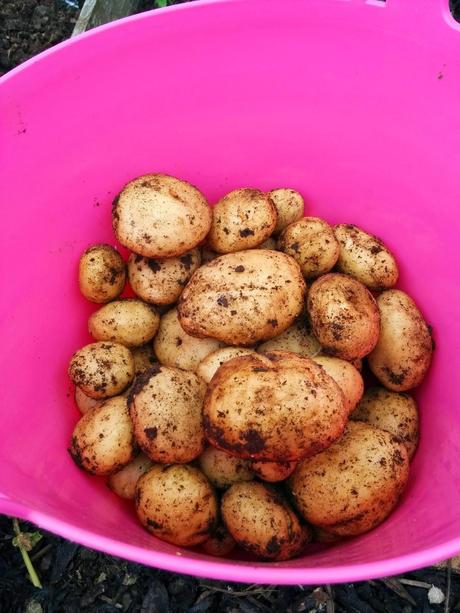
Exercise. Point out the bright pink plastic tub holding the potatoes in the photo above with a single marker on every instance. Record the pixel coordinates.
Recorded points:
(354, 103)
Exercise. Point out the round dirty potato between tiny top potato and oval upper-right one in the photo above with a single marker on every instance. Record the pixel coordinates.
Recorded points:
(312, 244)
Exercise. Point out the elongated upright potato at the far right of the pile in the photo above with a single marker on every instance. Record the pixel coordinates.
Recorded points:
(403, 353)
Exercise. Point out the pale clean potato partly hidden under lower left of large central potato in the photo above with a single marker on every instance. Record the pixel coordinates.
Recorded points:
(174, 347)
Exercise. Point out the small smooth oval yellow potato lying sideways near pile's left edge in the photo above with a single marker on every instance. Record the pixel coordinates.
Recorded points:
(129, 322)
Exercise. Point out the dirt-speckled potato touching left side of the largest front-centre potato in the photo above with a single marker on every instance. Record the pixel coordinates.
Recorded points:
(166, 409)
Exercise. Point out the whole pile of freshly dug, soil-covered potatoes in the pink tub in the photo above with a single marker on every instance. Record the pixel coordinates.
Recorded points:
(226, 398)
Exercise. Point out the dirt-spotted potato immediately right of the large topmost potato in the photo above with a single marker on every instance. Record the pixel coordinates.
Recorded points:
(242, 219)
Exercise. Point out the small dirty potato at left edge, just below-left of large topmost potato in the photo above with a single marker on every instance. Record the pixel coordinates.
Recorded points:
(102, 273)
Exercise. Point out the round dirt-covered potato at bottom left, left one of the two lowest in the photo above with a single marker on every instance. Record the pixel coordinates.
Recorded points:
(177, 504)
